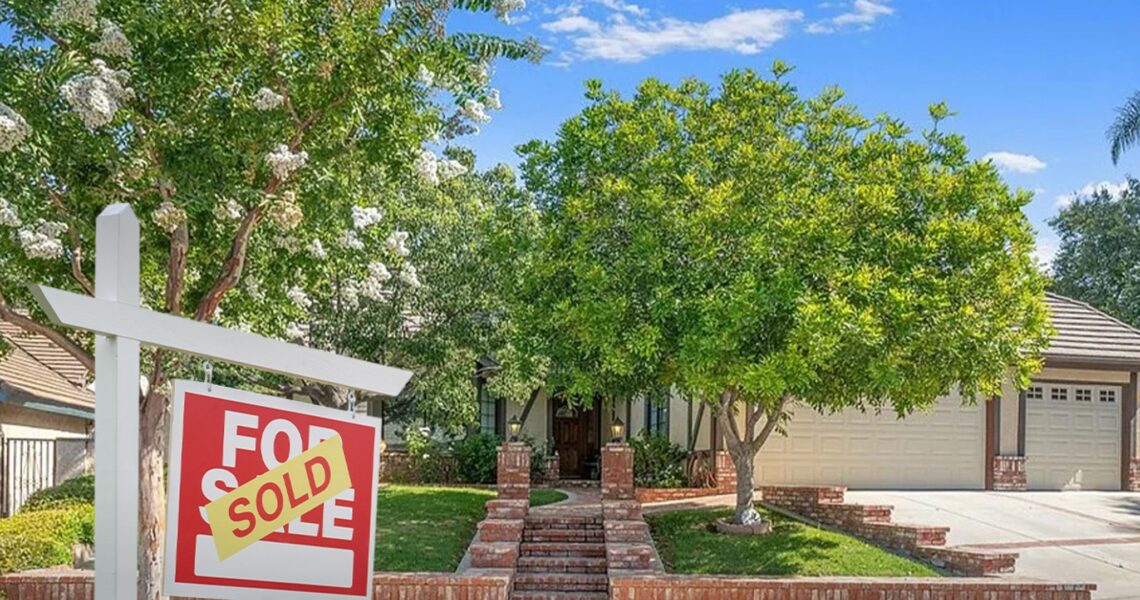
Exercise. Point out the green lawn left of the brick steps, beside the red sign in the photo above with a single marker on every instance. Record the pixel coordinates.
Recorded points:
(429, 529)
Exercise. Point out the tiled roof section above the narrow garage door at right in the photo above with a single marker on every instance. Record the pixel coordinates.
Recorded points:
(1086, 335)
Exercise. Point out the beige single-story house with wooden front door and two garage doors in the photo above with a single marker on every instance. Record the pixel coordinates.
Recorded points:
(1074, 428)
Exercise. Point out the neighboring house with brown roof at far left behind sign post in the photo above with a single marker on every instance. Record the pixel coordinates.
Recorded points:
(47, 416)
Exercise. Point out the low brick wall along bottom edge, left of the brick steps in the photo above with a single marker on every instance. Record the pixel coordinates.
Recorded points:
(80, 586)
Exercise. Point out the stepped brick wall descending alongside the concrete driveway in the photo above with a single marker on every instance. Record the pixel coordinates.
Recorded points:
(873, 522)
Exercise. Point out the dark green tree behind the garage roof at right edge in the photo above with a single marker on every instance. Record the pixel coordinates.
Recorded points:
(1100, 256)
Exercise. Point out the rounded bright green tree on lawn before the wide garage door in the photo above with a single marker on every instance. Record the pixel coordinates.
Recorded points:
(760, 252)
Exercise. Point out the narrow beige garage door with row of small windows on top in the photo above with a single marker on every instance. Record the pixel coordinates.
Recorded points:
(1073, 436)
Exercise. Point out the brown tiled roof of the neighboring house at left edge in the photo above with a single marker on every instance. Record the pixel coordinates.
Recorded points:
(39, 375)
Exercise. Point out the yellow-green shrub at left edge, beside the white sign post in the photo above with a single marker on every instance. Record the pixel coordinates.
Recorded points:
(44, 539)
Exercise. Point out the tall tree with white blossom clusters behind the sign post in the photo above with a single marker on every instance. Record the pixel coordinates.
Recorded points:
(256, 140)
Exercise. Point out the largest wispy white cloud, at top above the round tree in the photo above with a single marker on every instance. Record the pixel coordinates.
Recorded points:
(746, 33)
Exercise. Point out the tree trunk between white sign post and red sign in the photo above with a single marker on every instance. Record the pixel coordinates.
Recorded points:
(153, 494)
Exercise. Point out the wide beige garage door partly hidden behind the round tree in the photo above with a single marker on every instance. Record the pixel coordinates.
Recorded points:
(940, 450)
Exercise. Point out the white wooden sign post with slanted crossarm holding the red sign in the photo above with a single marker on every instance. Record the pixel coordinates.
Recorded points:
(120, 326)
